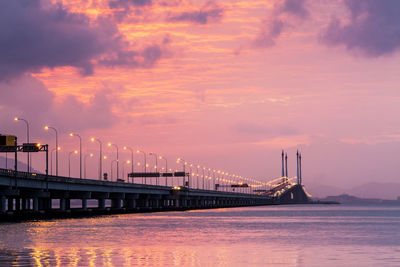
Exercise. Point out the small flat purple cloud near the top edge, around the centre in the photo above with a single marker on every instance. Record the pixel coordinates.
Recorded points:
(209, 13)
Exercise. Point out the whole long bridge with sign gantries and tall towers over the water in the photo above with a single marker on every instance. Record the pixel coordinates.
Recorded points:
(29, 195)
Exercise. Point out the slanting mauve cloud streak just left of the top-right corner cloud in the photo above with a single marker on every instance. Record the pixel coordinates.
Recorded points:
(282, 16)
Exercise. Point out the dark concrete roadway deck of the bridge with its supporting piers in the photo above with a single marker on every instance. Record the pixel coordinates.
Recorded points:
(28, 196)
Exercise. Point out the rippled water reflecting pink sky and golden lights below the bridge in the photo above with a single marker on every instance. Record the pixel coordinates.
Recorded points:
(299, 235)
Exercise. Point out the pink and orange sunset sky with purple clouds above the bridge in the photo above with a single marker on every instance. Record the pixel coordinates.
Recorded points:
(223, 84)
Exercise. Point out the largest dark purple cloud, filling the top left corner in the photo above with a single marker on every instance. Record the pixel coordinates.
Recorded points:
(33, 37)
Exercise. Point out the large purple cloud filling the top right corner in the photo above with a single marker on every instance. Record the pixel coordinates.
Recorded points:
(373, 29)
